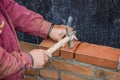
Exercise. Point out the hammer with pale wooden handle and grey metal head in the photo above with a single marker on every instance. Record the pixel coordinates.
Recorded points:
(70, 36)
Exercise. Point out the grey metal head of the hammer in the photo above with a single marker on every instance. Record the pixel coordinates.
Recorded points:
(71, 35)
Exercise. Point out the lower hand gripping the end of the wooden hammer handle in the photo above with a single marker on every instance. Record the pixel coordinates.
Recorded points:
(39, 57)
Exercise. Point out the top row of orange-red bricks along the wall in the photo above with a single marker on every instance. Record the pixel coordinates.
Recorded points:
(88, 53)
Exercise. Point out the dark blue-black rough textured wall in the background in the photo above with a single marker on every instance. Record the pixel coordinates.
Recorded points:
(96, 21)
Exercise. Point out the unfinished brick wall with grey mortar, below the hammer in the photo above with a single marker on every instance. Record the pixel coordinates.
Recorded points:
(85, 61)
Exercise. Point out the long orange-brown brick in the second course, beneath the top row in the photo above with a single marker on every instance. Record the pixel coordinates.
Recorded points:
(73, 68)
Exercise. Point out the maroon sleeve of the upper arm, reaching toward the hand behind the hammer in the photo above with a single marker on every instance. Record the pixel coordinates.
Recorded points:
(26, 20)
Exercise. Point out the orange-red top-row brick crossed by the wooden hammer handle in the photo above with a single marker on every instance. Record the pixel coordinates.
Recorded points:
(46, 44)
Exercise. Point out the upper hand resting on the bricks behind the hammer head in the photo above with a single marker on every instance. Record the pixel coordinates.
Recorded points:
(58, 32)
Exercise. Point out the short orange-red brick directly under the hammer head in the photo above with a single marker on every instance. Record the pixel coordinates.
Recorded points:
(67, 52)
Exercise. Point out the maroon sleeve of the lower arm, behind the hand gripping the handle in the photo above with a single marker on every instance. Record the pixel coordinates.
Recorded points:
(11, 63)
